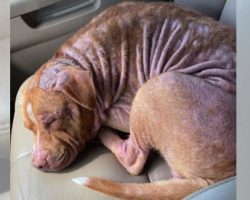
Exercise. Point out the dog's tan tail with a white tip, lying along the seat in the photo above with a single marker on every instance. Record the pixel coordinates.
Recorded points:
(174, 189)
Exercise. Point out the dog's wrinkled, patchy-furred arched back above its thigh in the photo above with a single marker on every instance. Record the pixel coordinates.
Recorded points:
(136, 41)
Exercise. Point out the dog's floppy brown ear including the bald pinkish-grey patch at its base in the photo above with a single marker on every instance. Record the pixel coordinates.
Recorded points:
(75, 83)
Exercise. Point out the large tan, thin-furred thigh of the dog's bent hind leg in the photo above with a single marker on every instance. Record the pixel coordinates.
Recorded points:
(190, 121)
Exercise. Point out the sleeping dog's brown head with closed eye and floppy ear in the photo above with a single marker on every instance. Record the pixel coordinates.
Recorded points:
(58, 106)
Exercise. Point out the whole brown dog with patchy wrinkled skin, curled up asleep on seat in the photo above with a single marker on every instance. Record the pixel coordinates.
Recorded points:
(160, 72)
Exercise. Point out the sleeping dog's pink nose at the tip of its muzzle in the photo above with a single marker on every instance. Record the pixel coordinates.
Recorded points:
(39, 159)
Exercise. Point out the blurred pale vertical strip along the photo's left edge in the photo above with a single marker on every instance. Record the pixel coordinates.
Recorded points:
(5, 100)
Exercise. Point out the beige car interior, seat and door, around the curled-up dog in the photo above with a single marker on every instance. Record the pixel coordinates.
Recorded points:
(37, 30)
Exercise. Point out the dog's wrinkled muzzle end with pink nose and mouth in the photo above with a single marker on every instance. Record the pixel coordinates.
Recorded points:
(50, 163)
